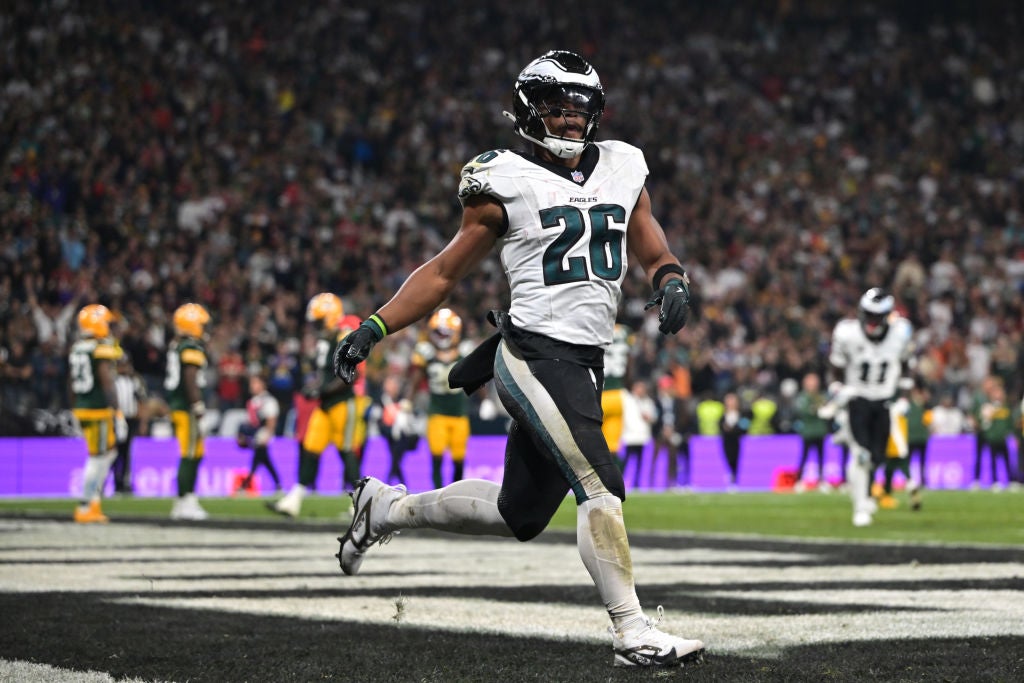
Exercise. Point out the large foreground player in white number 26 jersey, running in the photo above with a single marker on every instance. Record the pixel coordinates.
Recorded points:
(563, 219)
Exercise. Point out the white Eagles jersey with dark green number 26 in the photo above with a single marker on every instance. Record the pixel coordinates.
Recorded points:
(565, 251)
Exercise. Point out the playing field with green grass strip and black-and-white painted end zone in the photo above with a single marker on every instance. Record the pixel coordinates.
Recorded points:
(781, 588)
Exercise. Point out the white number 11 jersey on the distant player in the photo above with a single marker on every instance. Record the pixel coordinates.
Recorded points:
(872, 368)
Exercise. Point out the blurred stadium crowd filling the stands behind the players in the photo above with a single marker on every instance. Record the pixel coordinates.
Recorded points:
(249, 156)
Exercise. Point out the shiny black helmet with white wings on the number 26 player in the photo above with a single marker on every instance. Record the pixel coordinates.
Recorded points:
(557, 82)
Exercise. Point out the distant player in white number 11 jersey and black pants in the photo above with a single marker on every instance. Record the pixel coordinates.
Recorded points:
(870, 359)
